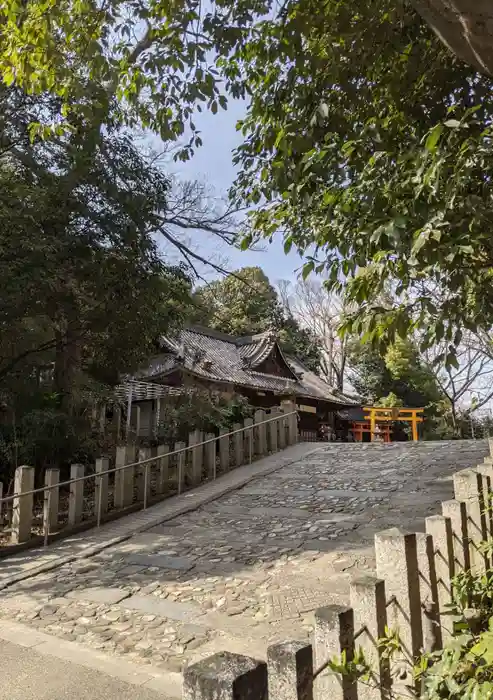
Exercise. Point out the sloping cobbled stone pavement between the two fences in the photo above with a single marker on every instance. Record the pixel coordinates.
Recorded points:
(248, 568)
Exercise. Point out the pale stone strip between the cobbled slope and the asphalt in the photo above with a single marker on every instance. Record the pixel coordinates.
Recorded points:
(166, 683)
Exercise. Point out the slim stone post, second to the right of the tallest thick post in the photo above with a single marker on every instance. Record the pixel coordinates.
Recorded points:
(440, 529)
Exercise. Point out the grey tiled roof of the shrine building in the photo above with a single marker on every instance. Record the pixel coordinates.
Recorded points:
(219, 357)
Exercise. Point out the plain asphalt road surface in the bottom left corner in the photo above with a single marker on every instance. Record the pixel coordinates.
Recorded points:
(28, 675)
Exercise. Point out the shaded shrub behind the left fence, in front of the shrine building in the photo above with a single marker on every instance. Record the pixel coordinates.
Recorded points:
(200, 410)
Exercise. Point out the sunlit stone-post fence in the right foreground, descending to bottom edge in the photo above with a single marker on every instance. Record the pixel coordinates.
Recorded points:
(409, 595)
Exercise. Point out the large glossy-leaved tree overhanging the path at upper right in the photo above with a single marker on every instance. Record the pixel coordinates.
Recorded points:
(368, 146)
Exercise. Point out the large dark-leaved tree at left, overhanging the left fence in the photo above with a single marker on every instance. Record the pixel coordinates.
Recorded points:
(83, 278)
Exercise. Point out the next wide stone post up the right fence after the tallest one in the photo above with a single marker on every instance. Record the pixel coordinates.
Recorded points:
(468, 487)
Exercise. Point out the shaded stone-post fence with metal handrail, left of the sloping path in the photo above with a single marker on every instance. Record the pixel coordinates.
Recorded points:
(135, 478)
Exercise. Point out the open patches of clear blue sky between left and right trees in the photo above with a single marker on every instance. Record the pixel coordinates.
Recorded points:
(212, 163)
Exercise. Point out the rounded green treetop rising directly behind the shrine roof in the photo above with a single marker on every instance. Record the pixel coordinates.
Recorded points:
(245, 303)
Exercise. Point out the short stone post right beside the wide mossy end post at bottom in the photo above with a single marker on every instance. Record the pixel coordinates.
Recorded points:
(290, 671)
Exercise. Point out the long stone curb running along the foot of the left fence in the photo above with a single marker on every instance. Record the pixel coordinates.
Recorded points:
(181, 510)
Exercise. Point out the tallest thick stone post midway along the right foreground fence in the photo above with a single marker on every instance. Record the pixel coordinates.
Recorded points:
(397, 565)
